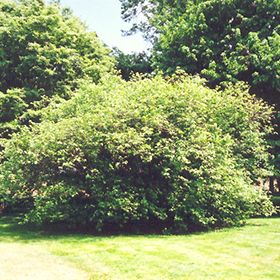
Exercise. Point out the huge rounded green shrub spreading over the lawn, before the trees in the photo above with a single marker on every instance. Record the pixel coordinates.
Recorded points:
(166, 153)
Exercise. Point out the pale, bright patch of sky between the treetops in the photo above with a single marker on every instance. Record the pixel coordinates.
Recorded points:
(104, 17)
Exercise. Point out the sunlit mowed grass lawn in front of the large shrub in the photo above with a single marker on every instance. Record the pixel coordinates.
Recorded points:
(250, 252)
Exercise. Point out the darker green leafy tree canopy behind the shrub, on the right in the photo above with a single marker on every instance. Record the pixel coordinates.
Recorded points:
(221, 40)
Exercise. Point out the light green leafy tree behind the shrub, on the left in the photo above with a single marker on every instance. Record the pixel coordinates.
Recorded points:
(44, 51)
